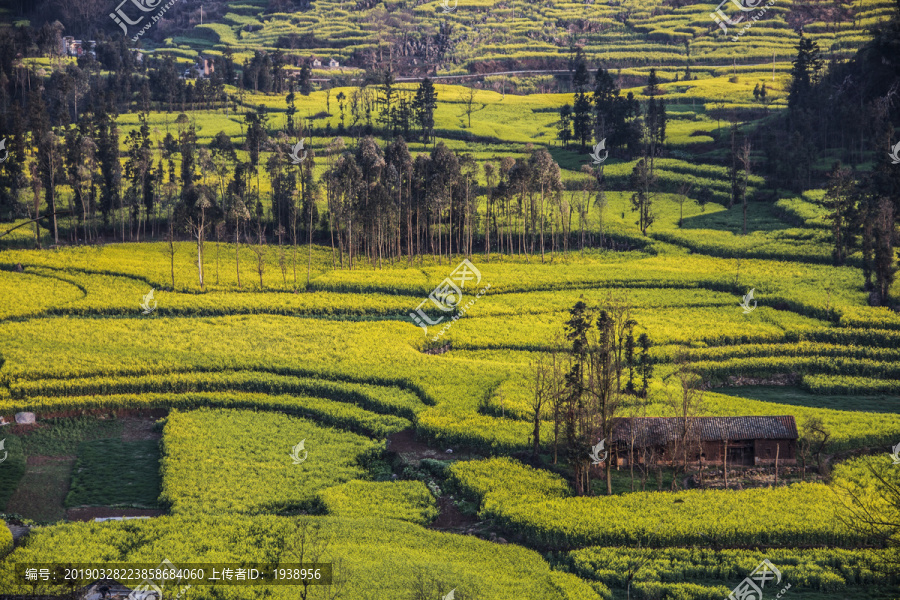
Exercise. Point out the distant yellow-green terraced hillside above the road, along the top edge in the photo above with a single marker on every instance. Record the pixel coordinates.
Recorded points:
(490, 35)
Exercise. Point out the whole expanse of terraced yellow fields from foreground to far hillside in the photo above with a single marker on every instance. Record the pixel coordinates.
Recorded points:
(290, 409)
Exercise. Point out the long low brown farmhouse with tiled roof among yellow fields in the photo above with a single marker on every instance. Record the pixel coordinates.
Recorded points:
(744, 440)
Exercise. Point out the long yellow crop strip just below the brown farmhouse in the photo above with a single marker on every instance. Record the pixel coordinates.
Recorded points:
(797, 515)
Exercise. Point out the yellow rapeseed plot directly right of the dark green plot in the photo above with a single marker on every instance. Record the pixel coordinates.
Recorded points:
(236, 461)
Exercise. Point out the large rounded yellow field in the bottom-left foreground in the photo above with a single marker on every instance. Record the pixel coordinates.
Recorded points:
(356, 547)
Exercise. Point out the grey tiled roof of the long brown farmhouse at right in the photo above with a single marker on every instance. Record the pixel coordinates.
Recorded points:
(663, 430)
